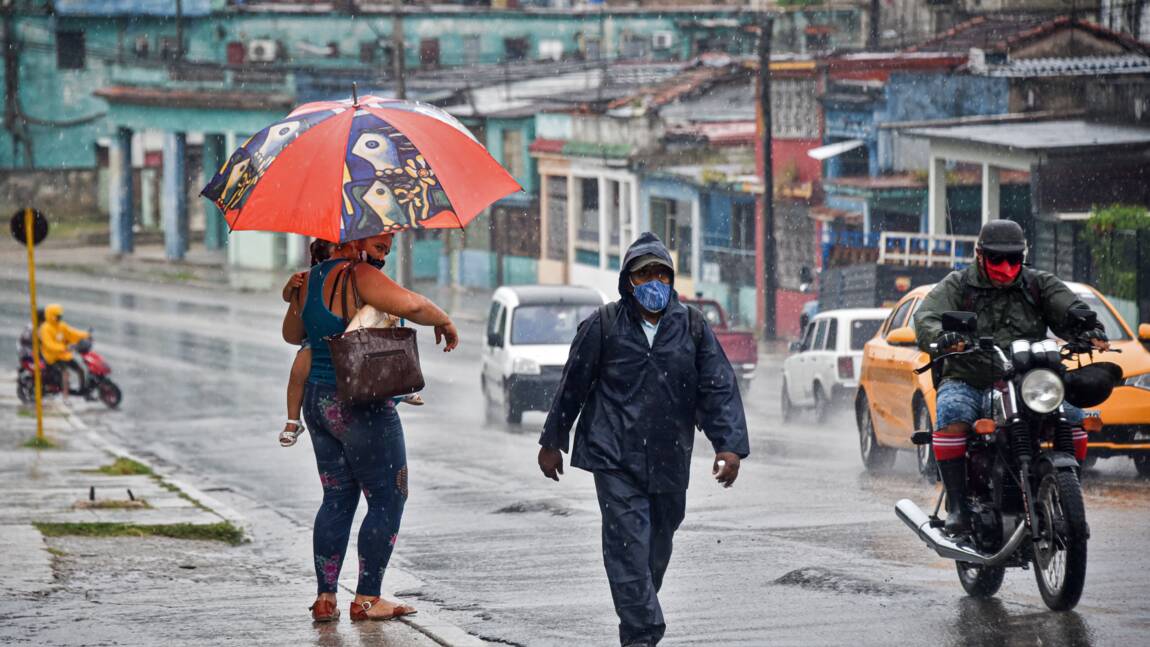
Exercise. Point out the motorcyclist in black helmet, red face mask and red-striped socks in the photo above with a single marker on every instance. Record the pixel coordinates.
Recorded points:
(1013, 303)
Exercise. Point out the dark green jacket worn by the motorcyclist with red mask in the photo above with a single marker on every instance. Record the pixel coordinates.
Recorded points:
(1025, 310)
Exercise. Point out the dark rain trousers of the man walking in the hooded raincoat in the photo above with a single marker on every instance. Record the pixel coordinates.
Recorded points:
(638, 533)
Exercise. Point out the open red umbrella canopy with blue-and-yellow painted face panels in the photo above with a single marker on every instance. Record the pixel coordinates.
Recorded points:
(344, 171)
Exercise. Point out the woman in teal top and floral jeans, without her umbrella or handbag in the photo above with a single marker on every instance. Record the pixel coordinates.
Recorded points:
(358, 449)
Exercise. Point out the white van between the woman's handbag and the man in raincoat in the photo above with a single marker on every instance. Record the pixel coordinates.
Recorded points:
(530, 333)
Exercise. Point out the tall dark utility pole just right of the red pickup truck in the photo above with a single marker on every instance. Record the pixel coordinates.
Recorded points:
(770, 264)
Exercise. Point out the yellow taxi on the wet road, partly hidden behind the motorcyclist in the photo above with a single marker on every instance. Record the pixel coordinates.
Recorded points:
(894, 403)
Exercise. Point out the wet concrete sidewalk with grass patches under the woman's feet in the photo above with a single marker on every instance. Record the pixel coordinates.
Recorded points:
(160, 582)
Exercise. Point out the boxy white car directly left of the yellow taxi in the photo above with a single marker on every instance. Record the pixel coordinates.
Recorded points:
(824, 368)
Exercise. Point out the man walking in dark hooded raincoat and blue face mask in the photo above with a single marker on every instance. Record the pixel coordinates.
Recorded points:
(643, 373)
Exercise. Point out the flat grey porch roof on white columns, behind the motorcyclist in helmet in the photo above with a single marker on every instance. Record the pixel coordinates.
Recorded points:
(1042, 136)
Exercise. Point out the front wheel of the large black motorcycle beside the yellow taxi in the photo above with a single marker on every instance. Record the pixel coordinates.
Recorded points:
(1060, 556)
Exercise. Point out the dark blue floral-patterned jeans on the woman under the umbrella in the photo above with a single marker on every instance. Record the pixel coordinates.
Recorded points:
(358, 450)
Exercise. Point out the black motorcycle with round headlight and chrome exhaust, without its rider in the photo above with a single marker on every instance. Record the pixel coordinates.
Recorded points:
(1023, 477)
